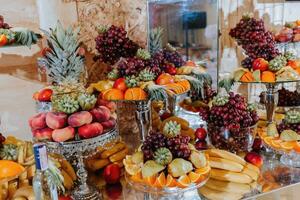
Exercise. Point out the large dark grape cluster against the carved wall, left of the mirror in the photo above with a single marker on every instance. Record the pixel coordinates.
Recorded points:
(114, 44)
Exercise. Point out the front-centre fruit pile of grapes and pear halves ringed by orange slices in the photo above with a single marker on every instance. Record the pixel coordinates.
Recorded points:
(167, 159)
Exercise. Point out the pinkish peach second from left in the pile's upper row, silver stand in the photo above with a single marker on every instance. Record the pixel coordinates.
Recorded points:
(56, 120)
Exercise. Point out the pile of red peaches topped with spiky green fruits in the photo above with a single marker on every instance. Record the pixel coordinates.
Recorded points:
(73, 113)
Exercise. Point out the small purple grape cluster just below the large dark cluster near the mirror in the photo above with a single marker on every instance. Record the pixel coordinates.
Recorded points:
(130, 66)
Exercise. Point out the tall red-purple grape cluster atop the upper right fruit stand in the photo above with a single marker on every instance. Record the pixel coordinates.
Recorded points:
(250, 33)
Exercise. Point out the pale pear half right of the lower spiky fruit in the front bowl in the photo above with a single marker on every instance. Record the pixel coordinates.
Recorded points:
(179, 167)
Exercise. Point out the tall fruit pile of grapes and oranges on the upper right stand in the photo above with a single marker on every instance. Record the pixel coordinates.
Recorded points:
(264, 63)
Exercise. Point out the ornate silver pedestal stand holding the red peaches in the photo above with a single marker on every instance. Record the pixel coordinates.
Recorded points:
(75, 152)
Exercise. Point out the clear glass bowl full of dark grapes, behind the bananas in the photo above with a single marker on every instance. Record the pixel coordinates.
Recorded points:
(236, 141)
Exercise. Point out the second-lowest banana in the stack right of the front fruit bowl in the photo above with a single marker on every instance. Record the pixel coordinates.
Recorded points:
(224, 175)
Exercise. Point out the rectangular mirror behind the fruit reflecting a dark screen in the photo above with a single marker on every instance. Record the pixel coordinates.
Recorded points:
(191, 26)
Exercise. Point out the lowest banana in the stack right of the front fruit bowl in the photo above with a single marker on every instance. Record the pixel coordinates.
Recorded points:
(225, 186)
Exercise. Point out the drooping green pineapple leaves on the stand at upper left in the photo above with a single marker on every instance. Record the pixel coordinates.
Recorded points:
(25, 36)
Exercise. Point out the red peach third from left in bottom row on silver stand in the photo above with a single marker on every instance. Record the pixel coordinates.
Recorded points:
(90, 130)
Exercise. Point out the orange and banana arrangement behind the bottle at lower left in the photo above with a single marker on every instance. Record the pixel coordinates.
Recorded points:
(18, 168)
